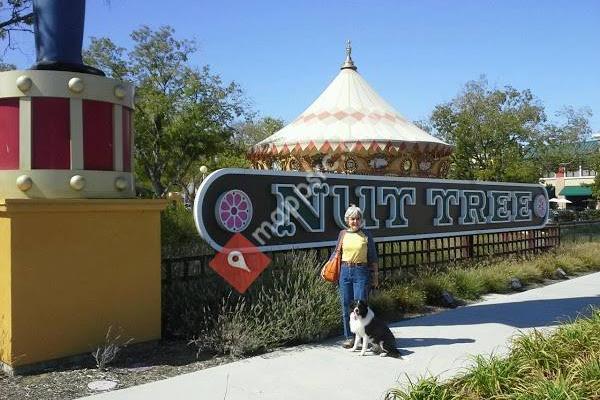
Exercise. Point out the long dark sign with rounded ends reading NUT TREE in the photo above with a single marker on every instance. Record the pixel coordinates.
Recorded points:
(283, 210)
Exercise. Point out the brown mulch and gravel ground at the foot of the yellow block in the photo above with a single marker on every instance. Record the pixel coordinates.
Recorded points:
(135, 365)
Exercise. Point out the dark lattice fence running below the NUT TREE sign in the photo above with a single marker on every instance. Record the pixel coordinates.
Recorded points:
(404, 255)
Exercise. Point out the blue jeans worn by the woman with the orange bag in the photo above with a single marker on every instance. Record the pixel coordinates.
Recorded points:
(354, 285)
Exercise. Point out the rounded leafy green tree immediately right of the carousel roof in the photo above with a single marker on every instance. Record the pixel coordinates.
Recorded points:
(494, 132)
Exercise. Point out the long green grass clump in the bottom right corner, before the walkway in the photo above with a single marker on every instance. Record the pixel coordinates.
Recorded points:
(561, 365)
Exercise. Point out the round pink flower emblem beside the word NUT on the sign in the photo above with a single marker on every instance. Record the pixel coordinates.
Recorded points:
(234, 210)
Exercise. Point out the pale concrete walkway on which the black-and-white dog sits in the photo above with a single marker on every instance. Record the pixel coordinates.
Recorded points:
(438, 344)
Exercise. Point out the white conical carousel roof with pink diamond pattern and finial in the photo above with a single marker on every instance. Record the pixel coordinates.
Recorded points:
(349, 116)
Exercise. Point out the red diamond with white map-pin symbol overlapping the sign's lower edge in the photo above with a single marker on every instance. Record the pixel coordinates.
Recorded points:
(239, 262)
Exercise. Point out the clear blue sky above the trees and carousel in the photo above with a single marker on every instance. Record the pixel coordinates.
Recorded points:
(416, 54)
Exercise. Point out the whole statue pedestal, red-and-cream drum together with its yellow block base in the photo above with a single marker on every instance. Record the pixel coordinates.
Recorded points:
(78, 253)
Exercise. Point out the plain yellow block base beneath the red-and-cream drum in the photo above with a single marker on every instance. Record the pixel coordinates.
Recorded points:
(70, 269)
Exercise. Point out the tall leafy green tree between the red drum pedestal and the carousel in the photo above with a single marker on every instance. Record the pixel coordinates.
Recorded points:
(183, 114)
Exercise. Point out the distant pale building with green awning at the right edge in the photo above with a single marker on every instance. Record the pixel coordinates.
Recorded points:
(573, 182)
